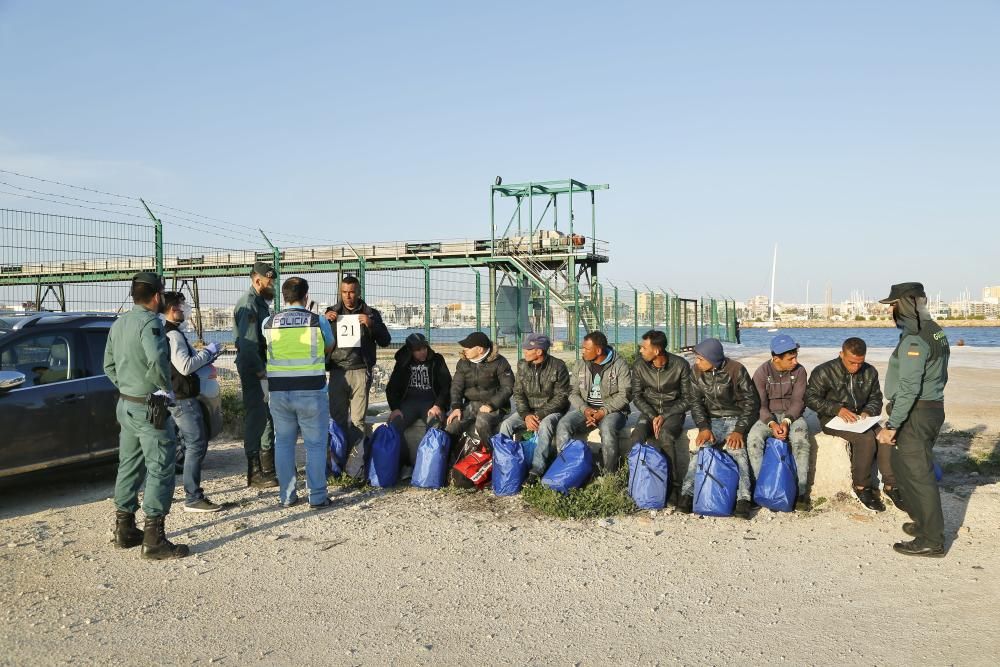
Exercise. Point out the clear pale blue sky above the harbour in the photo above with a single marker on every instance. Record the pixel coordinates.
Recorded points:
(863, 138)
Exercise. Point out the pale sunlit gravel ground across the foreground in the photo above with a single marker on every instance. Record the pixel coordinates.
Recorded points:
(436, 577)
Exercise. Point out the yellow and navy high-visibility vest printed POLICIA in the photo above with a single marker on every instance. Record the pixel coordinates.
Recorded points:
(294, 351)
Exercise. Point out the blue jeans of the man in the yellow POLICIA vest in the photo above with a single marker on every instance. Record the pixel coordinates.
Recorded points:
(308, 412)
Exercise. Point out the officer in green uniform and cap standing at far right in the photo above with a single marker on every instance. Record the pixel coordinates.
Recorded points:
(914, 385)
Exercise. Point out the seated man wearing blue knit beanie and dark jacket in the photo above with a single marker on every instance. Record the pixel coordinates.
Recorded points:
(724, 403)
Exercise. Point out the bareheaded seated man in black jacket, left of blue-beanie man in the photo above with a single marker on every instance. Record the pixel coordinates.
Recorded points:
(661, 391)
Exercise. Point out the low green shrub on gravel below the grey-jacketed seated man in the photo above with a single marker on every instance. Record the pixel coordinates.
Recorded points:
(606, 495)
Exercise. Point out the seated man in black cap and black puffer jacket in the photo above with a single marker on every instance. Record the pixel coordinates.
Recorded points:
(480, 390)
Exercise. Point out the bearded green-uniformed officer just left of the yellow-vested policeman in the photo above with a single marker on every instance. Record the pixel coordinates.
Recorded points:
(251, 354)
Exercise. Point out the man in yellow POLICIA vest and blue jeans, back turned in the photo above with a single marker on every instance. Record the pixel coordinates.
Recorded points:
(298, 342)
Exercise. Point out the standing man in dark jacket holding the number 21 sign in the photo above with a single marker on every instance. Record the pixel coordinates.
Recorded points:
(358, 328)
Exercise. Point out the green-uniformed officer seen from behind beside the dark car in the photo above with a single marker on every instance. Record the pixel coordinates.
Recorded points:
(137, 361)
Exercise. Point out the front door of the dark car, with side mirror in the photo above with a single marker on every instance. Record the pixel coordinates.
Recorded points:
(45, 420)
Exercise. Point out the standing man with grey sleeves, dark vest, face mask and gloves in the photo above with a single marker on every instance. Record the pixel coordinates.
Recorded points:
(192, 432)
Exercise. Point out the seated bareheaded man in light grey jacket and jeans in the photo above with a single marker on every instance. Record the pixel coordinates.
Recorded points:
(599, 398)
